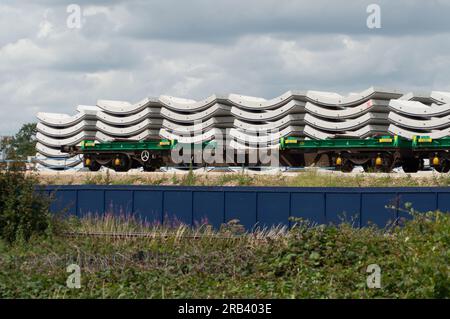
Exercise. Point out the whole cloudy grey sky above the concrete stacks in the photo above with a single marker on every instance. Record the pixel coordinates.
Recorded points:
(128, 50)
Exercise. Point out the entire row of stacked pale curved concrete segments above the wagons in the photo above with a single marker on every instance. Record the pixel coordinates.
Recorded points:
(246, 122)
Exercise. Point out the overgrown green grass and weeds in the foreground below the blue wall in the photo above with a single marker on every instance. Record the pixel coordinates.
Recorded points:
(169, 261)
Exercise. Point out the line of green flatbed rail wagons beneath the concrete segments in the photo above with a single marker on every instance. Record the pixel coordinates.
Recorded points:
(376, 154)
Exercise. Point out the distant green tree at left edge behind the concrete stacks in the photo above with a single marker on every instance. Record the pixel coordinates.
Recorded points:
(23, 144)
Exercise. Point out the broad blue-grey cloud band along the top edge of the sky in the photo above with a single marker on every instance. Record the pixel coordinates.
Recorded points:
(214, 21)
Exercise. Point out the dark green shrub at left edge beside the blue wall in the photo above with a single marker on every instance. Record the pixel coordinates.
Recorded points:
(23, 210)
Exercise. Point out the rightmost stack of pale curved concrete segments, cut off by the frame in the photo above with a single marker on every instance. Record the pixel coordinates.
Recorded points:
(420, 115)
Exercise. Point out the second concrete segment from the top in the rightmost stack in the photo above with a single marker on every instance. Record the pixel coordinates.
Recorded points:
(415, 108)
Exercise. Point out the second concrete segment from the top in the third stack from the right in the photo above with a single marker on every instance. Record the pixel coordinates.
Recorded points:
(291, 107)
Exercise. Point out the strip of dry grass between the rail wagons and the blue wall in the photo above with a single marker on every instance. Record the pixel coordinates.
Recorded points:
(307, 178)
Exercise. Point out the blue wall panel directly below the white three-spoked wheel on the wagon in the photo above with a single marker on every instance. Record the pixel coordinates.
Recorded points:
(148, 206)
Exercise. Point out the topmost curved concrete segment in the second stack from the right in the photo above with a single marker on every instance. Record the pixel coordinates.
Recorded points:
(334, 99)
